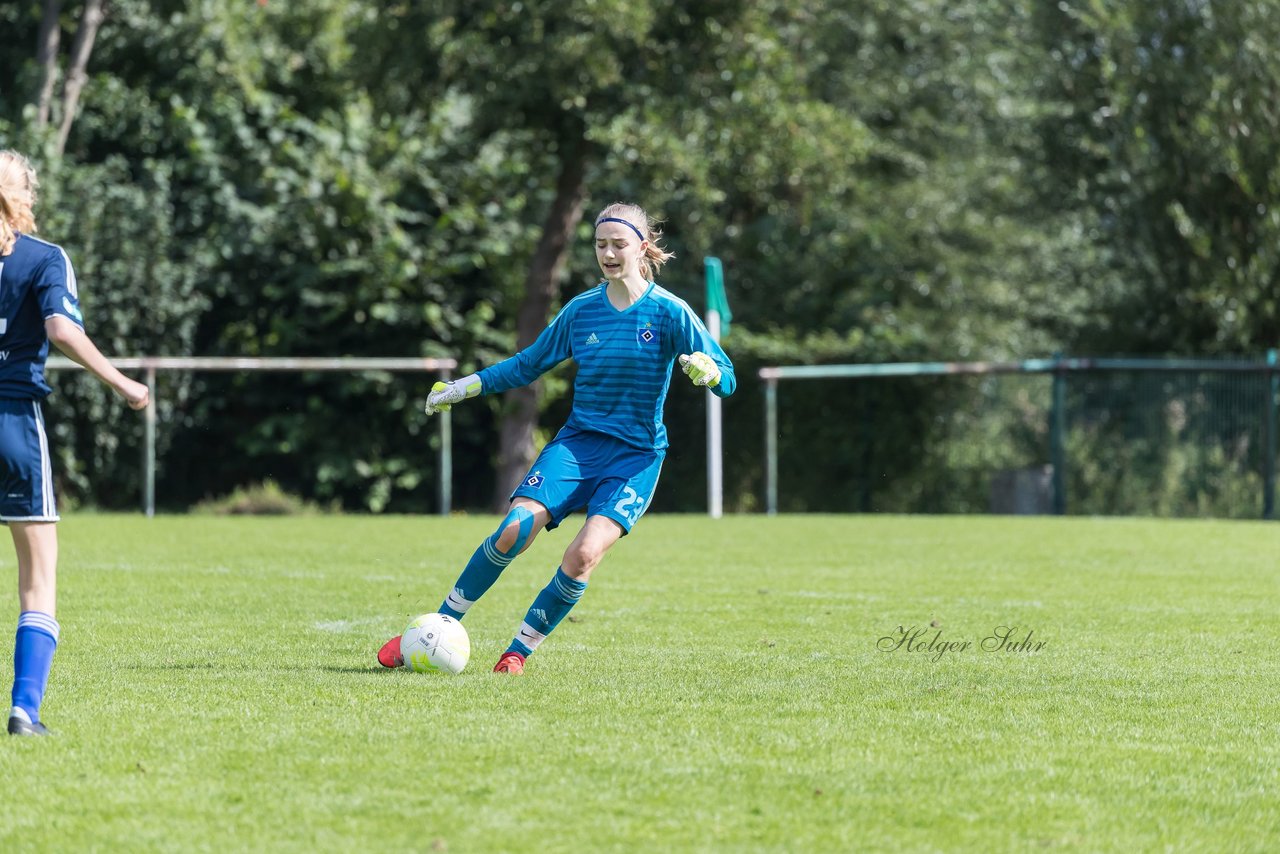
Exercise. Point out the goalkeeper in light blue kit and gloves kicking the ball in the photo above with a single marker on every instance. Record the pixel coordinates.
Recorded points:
(625, 336)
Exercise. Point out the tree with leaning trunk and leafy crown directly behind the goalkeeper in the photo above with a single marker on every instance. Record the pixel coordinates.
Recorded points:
(618, 95)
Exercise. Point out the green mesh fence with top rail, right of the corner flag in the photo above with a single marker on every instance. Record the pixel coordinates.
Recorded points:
(1059, 436)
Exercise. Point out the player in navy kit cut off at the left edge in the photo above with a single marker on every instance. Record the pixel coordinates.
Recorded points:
(38, 305)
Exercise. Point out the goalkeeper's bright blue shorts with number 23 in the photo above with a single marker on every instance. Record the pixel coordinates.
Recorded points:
(606, 476)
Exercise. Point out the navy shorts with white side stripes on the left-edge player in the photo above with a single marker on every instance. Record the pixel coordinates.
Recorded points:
(26, 467)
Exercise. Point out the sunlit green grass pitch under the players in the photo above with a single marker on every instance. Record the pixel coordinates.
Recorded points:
(723, 687)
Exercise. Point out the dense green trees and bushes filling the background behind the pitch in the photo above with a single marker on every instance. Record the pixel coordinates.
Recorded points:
(884, 181)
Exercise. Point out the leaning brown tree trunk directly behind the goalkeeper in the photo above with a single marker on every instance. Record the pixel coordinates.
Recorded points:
(516, 449)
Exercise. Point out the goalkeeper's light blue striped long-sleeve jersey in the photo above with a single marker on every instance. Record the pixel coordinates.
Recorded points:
(624, 362)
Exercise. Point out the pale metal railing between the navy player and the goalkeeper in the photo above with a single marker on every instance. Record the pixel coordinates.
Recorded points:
(153, 364)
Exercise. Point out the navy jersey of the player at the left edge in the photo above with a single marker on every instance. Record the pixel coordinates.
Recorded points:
(36, 284)
